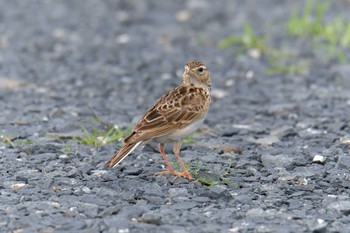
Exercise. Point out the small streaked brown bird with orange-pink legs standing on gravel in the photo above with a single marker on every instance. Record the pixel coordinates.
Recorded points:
(175, 115)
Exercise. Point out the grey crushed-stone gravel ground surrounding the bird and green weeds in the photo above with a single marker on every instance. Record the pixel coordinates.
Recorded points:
(276, 145)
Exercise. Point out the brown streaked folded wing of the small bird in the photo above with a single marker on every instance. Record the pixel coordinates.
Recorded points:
(174, 110)
